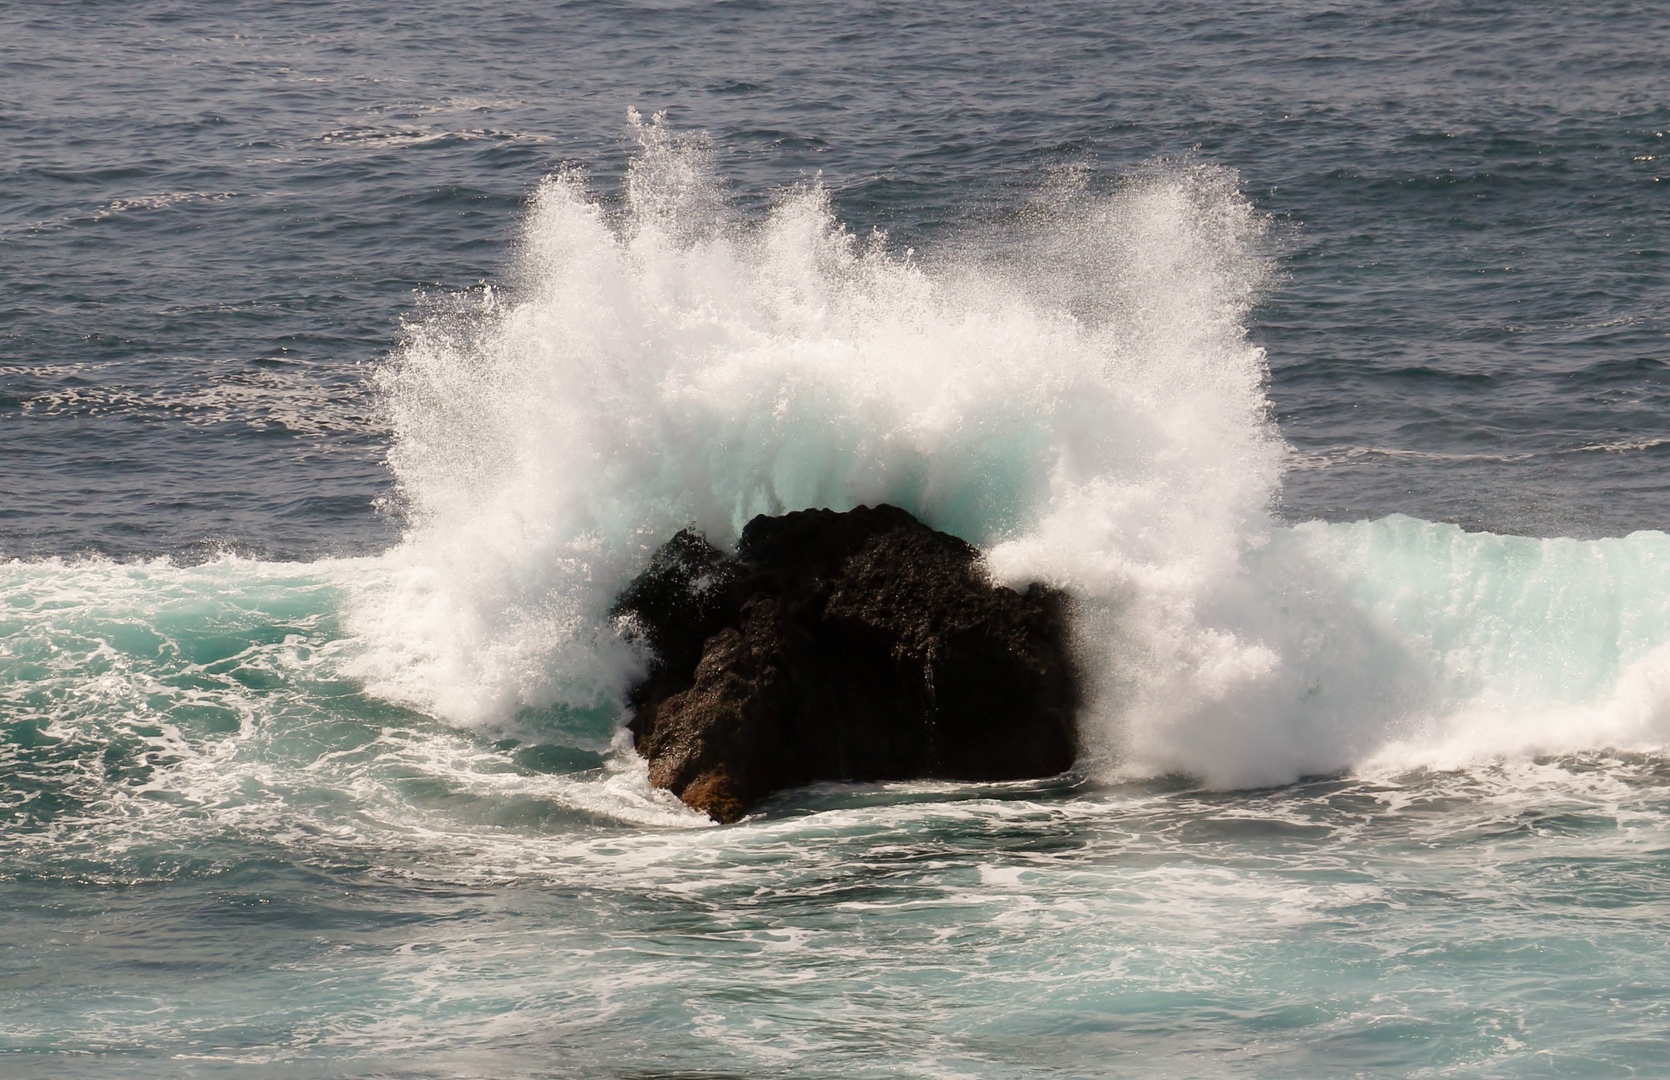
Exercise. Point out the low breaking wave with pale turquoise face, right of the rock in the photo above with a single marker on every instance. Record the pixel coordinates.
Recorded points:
(1400, 643)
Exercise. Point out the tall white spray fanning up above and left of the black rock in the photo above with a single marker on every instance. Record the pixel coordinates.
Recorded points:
(669, 366)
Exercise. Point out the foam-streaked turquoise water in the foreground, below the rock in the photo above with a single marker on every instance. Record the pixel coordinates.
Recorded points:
(1495, 924)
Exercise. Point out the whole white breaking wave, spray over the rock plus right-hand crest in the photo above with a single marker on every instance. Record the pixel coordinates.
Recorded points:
(1076, 395)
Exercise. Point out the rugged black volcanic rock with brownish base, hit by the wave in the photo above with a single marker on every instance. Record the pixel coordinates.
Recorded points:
(854, 645)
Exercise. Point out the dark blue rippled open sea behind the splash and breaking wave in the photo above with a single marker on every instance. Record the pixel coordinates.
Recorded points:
(216, 216)
